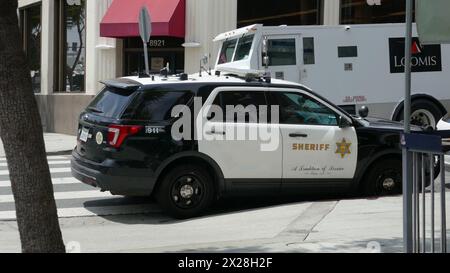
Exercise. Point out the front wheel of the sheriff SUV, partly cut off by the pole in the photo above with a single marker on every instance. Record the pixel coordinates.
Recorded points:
(384, 178)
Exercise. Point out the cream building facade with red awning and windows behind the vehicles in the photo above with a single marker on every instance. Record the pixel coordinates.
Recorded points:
(72, 45)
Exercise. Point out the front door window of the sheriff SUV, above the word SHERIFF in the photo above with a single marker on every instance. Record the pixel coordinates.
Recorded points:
(297, 108)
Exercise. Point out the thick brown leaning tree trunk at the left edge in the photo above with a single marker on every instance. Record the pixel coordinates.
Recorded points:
(22, 136)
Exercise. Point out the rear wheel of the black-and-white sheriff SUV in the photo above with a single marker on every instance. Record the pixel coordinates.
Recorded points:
(186, 191)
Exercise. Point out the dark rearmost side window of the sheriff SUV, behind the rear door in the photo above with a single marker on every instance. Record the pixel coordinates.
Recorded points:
(158, 105)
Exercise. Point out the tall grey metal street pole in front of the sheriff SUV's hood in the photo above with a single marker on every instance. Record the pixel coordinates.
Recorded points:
(407, 162)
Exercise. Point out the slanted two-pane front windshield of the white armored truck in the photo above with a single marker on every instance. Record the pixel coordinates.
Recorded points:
(242, 47)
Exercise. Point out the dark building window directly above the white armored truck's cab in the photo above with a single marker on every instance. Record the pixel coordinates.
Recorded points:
(279, 12)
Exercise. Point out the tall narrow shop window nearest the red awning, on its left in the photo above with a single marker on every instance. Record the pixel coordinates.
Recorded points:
(70, 59)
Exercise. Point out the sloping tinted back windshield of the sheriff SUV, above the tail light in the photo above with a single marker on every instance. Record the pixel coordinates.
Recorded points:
(110, 102)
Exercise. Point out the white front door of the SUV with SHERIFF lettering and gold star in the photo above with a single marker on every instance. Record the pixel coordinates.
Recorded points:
(315, 148)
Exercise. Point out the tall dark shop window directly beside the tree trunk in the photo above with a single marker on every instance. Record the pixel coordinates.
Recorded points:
(31, 28)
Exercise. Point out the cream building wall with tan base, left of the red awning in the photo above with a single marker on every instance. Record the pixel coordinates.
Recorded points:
(60, 111)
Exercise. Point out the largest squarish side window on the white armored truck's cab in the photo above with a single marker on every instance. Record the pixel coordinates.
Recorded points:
(282, 52)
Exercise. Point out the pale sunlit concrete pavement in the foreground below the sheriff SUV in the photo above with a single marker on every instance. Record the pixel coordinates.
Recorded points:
(357, 226)
